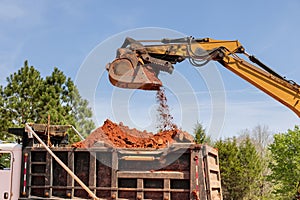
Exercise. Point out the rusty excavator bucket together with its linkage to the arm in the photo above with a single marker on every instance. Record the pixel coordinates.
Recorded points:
(135, 68)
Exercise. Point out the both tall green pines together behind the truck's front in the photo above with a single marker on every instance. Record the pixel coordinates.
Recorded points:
(30, 98)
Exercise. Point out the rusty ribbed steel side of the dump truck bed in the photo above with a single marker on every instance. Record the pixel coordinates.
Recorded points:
(182, 171)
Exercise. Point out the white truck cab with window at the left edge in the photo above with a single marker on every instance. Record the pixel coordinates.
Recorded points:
(10, 170)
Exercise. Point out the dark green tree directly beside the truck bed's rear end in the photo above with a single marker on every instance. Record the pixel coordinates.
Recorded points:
(240, 169)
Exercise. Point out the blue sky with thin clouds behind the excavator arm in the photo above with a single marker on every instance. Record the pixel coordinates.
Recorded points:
(67, 34)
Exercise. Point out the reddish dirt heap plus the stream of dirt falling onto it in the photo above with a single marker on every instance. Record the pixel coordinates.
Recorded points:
(121, 136)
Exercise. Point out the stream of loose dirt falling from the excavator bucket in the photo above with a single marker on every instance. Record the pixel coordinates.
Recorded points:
(165, 119)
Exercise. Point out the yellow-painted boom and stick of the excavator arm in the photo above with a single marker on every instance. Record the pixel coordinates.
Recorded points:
(281, 90)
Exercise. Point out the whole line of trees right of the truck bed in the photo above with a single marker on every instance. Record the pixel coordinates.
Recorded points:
(258, 164)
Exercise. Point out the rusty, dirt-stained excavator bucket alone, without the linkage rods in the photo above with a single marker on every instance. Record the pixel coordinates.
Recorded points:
(128, 71)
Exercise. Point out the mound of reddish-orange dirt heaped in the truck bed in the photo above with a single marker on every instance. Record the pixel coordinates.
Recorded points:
(118, 135)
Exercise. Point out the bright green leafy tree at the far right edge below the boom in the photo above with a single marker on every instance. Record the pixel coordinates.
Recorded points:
(285, 163)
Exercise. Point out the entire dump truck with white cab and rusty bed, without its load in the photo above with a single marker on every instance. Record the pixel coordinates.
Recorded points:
(35, 170)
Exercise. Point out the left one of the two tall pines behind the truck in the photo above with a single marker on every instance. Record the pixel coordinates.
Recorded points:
(21, 96)
